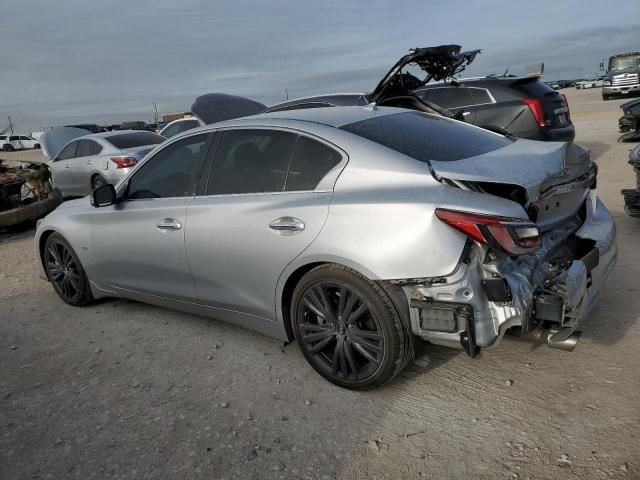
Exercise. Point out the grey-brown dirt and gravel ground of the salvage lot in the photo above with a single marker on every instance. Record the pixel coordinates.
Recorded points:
(126, 390)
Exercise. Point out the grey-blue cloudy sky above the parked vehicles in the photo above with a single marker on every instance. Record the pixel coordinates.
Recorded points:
(72, 61)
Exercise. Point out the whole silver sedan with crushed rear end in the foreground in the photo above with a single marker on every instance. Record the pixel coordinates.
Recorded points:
(357, 231)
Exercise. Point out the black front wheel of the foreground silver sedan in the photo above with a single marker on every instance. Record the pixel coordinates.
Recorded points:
(65, 271)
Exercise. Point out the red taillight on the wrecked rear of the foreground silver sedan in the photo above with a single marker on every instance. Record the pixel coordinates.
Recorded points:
(514, 235)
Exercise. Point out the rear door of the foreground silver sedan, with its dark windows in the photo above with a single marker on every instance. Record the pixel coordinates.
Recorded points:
(266, 199)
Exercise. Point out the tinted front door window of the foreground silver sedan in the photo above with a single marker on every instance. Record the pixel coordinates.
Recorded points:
(174, 171)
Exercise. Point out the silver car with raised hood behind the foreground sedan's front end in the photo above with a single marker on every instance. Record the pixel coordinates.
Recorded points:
(90, 161)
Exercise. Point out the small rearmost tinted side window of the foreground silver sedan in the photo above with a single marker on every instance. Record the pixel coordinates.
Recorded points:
(310, 162)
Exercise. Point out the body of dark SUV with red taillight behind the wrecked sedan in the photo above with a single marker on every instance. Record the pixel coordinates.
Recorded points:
(521, 106)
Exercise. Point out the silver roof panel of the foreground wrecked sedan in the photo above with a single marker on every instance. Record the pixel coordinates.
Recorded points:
(330, 116)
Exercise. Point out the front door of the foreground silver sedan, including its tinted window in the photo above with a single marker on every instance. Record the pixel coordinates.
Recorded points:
(139, 242)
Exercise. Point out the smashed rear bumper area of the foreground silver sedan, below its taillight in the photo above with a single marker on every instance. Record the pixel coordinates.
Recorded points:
(490, 293)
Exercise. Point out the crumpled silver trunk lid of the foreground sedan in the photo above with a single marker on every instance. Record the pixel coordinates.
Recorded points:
(550, 180)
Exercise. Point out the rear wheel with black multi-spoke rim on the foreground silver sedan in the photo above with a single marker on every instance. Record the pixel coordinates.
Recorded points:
(347, 328)
